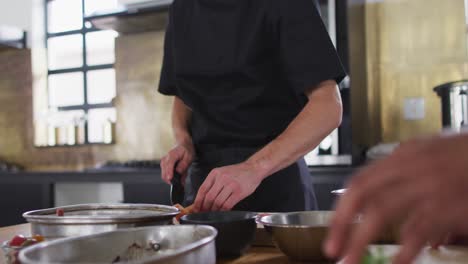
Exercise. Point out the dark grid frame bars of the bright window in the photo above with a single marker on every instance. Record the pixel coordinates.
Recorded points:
(85, 68)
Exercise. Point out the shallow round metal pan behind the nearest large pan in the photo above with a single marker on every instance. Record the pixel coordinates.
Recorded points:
(85, 219)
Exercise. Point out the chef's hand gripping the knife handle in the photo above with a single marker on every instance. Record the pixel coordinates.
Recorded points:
(182, 155)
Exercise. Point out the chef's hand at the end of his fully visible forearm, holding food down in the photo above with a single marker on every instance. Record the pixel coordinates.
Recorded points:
(226, 186)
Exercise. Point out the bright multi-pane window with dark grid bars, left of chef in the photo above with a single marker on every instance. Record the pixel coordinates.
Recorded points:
(81, 75)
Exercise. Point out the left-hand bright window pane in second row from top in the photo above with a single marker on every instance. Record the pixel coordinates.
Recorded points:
(65, 52)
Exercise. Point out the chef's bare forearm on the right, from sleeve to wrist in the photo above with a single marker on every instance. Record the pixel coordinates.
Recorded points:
(319, 118)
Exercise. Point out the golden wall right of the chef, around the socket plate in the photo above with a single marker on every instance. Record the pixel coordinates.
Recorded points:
(402, 49)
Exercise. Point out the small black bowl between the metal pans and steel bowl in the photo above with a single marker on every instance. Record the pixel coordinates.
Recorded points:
(236, 230)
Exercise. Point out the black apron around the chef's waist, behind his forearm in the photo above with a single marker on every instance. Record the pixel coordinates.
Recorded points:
(287, 190)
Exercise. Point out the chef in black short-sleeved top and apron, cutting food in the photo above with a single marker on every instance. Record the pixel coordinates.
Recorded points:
(255, 89)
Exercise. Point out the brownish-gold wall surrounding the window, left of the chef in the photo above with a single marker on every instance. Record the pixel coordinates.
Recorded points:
(143, 126)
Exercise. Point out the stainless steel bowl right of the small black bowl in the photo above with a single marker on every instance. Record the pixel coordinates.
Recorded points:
(299, 235)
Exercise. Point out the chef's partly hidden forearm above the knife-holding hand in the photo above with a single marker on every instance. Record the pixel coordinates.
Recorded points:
(181, 116)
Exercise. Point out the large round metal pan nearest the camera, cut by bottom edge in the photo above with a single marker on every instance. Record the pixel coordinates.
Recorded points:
(176, 244)
